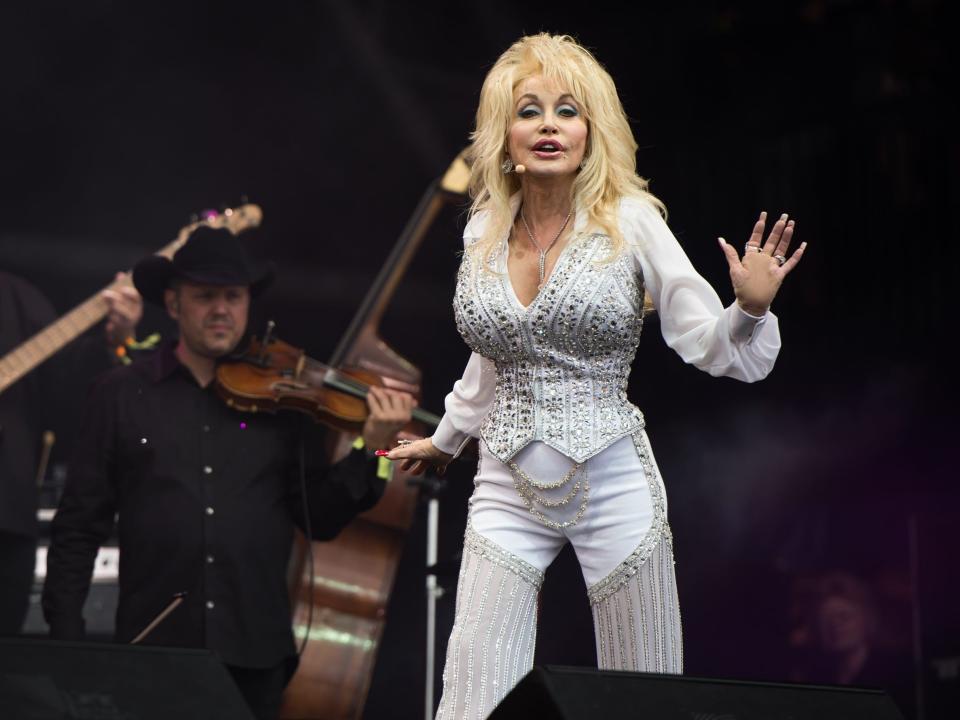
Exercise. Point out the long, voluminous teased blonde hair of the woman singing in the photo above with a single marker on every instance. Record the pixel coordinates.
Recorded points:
(610, 166)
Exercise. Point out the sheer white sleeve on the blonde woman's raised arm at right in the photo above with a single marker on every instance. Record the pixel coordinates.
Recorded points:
(720, 341)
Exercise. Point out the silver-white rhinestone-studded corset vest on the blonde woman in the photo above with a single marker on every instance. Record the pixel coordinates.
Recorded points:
(561, 363)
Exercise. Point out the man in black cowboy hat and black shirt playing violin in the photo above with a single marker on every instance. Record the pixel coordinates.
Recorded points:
(207, 497)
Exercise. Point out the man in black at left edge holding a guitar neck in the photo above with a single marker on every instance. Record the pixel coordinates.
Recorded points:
(24, 311)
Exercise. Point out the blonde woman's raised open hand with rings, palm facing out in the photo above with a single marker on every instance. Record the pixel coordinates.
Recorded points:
(757, 276)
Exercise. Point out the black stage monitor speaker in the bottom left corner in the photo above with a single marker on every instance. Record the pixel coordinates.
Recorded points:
(47, 680)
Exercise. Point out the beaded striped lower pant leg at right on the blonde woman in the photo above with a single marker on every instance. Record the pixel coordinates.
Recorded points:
(637, 619)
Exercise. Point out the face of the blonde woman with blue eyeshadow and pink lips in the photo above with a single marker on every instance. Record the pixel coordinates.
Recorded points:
(548, 134)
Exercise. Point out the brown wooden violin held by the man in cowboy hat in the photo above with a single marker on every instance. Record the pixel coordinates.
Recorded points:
(272, 375)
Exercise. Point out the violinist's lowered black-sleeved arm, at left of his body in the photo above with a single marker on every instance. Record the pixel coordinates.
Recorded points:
(84, 519)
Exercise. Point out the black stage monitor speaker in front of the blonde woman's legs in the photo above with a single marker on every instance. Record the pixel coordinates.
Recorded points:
(560, 693)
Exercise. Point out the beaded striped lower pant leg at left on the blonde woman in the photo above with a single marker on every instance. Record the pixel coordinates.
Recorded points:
(494, 629)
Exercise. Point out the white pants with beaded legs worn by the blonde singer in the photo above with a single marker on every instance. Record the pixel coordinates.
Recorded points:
(622, 542)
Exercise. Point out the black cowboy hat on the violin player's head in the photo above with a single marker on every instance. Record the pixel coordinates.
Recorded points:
(210, 256)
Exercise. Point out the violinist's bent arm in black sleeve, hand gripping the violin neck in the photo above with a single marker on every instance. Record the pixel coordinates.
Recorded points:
(338, 492)
